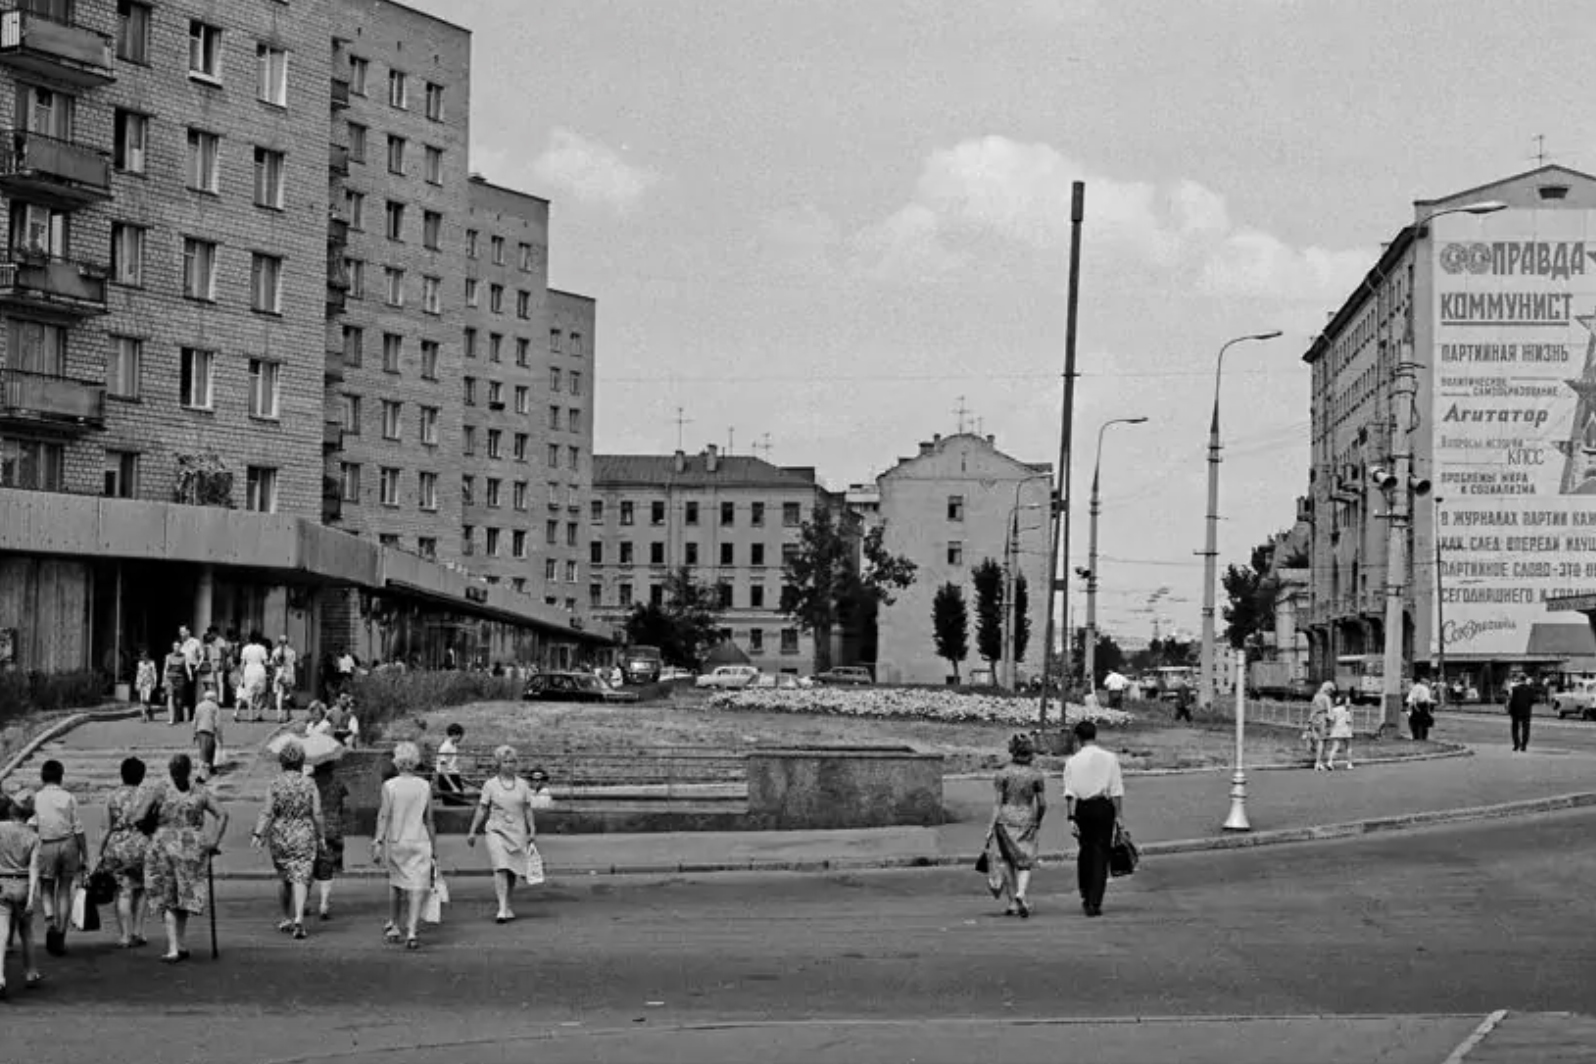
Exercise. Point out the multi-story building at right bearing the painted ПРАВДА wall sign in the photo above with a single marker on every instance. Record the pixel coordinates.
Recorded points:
(1471, 347)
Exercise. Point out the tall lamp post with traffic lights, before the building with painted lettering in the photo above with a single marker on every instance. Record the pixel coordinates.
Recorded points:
(1404, 487)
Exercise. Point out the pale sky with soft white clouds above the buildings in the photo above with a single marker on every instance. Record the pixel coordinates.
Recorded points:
(836, 224)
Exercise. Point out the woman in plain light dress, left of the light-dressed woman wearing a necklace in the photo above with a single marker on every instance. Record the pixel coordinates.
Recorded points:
(405, 843)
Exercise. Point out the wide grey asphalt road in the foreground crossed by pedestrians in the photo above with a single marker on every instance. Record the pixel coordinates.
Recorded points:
(1458, 923)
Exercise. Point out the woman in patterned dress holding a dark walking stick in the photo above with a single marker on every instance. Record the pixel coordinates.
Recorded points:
(175, 862)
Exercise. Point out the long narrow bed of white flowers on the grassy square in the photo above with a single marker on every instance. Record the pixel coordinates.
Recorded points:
(907, 704)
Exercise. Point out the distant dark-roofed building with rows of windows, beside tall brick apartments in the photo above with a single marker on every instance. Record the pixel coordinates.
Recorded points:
(730, 519)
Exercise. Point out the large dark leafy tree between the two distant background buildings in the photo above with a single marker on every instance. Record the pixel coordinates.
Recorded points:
(824, 585)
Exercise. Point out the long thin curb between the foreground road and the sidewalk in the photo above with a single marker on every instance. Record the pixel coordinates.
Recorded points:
(1322, 833)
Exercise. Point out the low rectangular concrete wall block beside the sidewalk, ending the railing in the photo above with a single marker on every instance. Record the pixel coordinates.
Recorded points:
(843, 787)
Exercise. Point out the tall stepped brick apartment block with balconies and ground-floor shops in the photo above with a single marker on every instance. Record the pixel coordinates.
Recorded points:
(237, 374)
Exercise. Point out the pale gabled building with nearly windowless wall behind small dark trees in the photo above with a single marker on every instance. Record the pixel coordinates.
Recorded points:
(955, 505)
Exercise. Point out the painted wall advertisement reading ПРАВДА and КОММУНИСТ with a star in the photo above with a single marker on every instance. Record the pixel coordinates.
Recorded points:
(1515, 425)
